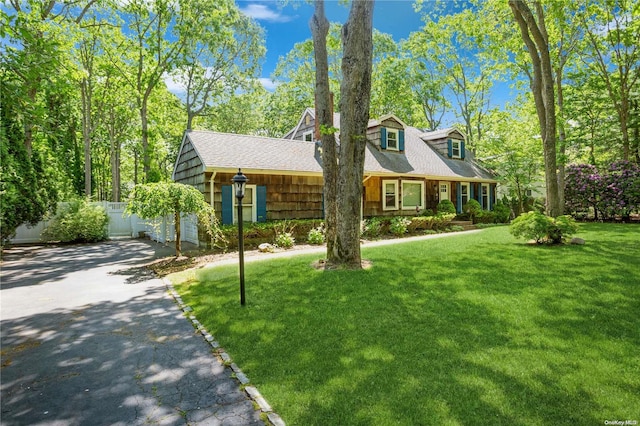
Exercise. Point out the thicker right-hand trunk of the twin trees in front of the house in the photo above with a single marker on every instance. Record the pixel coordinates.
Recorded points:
(355, 94)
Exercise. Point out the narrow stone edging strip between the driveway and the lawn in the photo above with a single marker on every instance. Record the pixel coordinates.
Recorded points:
(251, 391)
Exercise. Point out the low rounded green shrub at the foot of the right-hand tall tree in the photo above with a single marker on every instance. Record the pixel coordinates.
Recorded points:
(543, 229)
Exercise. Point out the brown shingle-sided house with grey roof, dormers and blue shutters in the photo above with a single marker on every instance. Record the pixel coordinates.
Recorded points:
(406, 170)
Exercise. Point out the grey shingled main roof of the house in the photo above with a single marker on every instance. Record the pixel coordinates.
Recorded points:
(257, 154)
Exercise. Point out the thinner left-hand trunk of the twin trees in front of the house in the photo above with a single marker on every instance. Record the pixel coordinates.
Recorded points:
(324, 116)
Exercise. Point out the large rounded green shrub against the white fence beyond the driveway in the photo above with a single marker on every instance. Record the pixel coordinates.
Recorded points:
(78, 221)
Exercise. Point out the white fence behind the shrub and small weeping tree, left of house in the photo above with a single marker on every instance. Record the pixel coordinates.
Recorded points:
(161, 229)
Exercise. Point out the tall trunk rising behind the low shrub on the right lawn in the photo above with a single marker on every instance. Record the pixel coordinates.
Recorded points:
(542, 87)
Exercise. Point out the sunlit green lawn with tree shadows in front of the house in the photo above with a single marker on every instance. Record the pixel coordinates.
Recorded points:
(468, 329)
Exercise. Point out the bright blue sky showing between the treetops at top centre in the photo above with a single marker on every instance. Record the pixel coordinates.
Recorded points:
(287, 25)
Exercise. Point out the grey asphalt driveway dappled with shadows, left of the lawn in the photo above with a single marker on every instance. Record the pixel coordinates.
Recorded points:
(90, 338)
